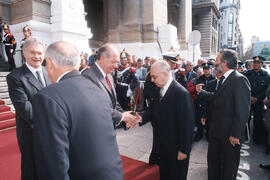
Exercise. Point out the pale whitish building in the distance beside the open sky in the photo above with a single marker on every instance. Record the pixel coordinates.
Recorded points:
(229, 31)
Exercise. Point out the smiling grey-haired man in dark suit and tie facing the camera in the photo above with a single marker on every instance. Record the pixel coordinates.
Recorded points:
(23, 84)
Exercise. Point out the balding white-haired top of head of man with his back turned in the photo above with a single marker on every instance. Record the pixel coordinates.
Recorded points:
(63, 54)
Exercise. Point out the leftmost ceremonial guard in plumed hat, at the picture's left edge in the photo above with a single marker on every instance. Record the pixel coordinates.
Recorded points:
(10, 45)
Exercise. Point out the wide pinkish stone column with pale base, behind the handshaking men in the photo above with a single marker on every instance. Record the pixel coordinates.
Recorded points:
(134, 25)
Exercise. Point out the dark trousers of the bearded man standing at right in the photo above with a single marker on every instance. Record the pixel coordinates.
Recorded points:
(222, 159)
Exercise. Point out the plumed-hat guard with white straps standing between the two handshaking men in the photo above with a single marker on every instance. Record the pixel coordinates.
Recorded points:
(126, 81)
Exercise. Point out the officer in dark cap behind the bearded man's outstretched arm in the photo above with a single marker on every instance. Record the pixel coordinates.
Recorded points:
(203, 79)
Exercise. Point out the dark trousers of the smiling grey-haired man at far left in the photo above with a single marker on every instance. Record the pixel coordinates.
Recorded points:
(25, 142)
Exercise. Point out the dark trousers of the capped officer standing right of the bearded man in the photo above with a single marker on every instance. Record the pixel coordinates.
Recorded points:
(259, 132)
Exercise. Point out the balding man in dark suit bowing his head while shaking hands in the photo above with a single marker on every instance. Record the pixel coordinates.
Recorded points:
(173, 113)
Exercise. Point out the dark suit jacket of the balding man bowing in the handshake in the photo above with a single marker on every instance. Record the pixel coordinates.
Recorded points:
(173, 118)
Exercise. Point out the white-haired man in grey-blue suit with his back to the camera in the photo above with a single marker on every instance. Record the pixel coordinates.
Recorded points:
(74, 138)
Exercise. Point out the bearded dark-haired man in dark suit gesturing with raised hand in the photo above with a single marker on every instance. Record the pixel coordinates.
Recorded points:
(231, 106)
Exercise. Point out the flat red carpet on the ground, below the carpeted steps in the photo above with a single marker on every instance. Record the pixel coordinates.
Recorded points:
(10, 161)
